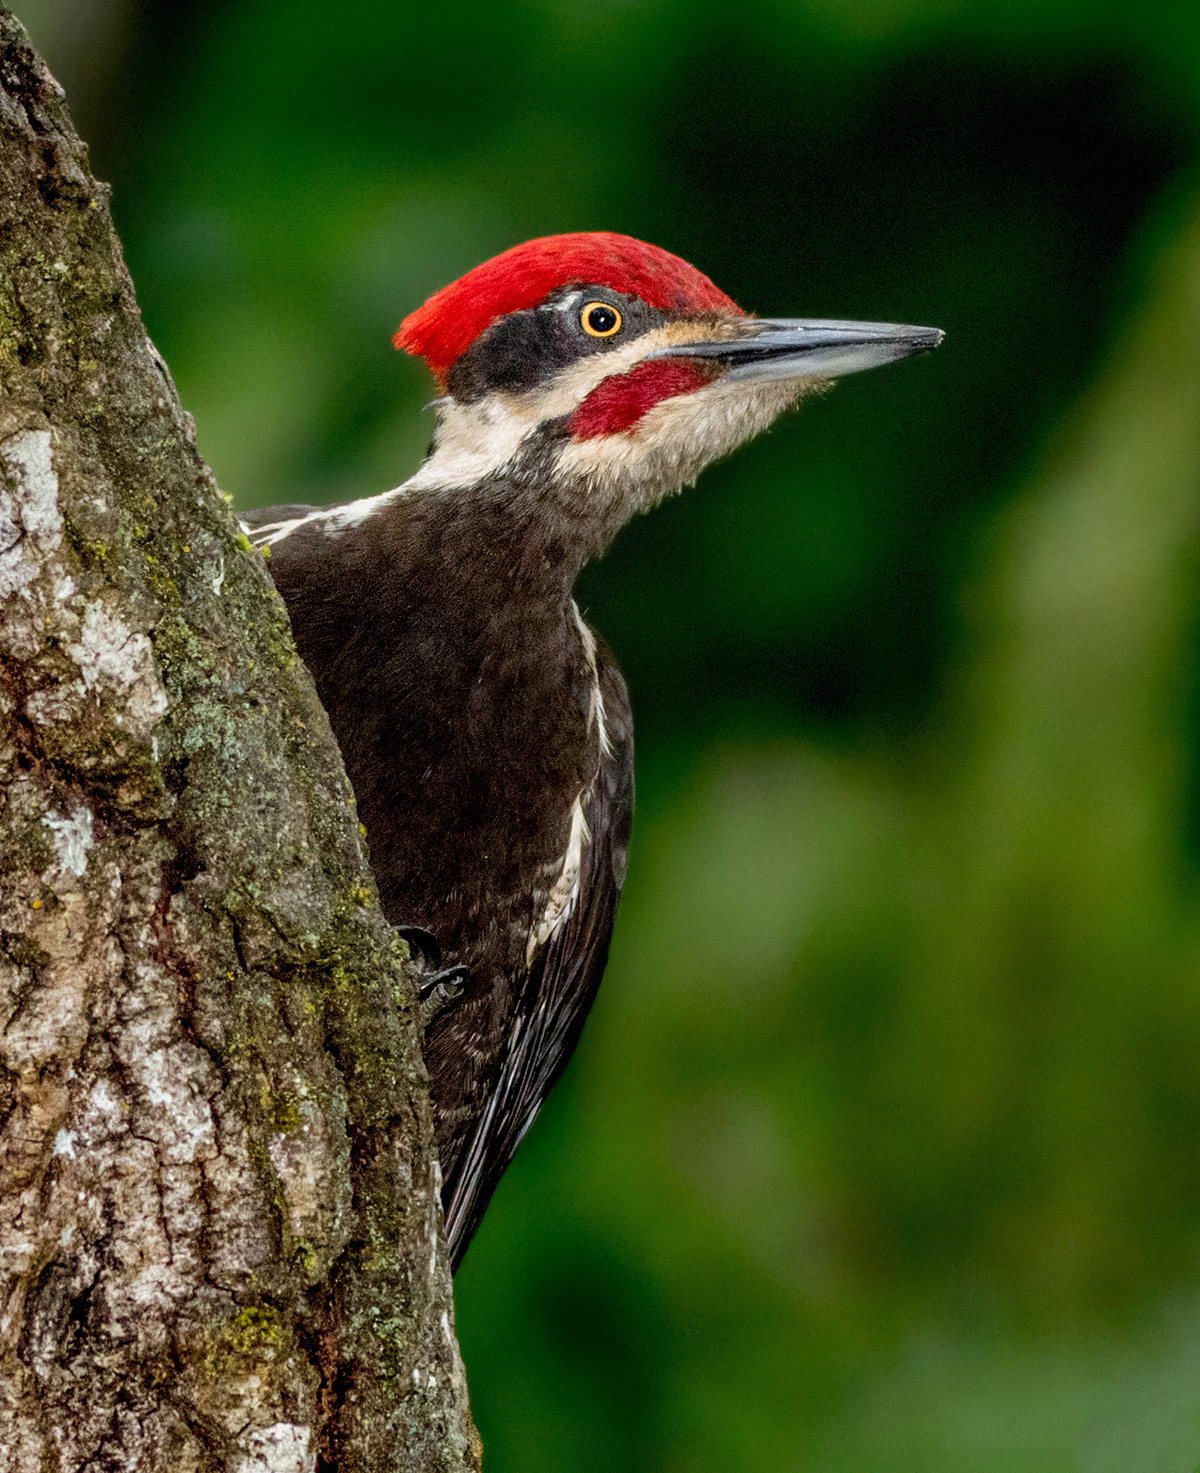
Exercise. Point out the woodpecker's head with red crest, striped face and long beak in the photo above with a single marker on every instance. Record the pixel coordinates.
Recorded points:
(603, 373)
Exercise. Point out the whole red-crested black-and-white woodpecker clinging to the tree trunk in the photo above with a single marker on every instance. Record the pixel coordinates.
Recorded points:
(484, 724)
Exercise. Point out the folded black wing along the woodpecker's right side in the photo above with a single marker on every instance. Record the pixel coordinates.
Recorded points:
(560, 985)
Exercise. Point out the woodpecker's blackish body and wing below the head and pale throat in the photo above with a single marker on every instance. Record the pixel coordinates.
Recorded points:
(481, 723)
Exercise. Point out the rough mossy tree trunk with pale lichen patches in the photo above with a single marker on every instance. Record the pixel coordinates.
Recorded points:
(220, 1238)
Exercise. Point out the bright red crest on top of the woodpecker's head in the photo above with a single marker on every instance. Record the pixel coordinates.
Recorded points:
(453, 319)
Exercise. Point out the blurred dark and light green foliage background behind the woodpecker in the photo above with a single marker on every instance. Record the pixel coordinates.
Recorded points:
(883, 1147)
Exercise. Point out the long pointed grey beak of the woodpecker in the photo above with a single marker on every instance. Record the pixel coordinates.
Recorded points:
(802, 348)
